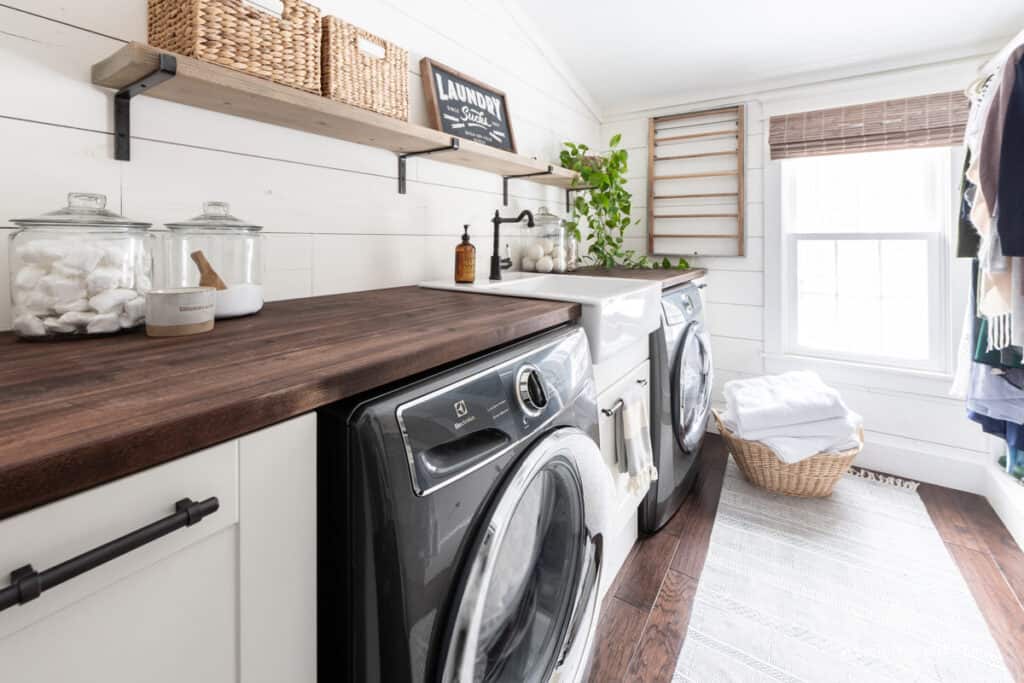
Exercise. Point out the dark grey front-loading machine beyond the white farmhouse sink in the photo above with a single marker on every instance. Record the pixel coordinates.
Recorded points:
(680, 399)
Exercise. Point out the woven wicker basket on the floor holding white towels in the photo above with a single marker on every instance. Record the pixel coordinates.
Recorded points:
(814, 478)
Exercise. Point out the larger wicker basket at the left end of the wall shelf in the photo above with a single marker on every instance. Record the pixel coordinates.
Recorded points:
(242, 35)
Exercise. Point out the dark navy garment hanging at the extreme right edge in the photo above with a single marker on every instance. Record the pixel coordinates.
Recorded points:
(1011, 199)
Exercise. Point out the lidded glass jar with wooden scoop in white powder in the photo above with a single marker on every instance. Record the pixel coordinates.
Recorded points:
(219, 250)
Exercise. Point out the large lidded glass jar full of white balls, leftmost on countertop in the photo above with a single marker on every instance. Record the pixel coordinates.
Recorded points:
(79, 271)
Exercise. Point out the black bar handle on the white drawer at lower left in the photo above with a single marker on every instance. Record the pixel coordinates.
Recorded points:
(27, 584)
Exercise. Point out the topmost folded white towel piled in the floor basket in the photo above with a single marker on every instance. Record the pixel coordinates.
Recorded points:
(779, 401)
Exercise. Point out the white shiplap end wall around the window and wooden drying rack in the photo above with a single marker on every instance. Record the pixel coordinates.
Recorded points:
(914, 429)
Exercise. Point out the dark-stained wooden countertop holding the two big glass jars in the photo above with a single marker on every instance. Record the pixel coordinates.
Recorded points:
(78, 414)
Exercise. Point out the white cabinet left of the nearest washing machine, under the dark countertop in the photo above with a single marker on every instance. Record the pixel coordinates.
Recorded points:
(230, 599)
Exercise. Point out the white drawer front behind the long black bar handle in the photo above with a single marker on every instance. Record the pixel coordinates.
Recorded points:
(53, 534)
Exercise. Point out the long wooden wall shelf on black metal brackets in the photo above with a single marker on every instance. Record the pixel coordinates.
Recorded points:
(228, 92)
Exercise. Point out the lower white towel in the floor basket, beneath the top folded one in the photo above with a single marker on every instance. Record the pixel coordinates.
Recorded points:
(795, 443)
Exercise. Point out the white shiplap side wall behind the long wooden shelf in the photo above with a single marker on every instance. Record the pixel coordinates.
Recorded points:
(334, 220)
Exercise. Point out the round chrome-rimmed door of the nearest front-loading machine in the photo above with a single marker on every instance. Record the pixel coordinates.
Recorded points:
(527, 607)
